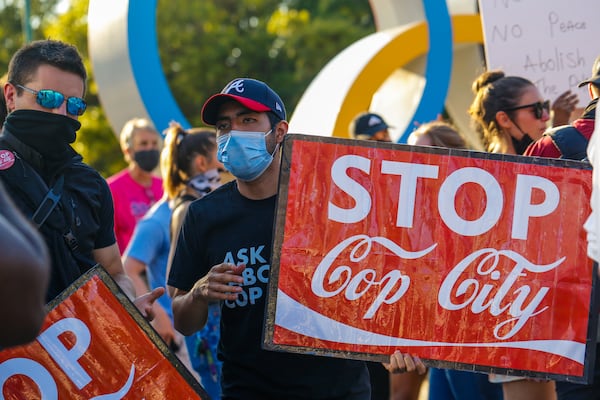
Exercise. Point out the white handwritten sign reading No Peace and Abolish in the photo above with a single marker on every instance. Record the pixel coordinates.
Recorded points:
(553, 43)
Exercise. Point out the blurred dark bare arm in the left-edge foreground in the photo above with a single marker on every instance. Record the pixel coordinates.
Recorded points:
(24, 276)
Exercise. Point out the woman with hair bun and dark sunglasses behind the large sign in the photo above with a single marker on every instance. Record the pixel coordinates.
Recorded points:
(509, 113)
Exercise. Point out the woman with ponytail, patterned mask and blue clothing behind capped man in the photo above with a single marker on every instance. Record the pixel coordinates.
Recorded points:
(188, 165)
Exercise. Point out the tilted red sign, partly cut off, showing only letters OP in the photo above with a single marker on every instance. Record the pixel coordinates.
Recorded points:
(95, 345)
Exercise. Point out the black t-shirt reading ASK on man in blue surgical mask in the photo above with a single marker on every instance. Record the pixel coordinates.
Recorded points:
(224, 226)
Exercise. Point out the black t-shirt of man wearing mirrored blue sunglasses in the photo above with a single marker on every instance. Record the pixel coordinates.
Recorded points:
(85, 208)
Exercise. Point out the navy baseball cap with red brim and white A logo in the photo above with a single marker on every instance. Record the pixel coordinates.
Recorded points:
(251, 93)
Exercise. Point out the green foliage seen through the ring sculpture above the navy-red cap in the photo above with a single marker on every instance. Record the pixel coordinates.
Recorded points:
(204, 45)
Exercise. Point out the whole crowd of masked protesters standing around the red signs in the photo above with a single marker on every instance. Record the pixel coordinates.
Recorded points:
(172, 220)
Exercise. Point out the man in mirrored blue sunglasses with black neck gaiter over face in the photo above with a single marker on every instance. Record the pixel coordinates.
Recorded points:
(67, 200)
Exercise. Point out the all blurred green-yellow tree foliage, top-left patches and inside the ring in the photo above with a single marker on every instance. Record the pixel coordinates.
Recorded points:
(203, 45)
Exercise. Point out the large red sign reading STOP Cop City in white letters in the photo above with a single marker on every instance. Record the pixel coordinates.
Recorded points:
(463, 258)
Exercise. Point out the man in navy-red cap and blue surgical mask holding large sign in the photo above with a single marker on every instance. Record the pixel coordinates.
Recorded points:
(224, 254)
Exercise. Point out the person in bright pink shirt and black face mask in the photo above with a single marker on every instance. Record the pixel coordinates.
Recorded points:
(135, 189)
